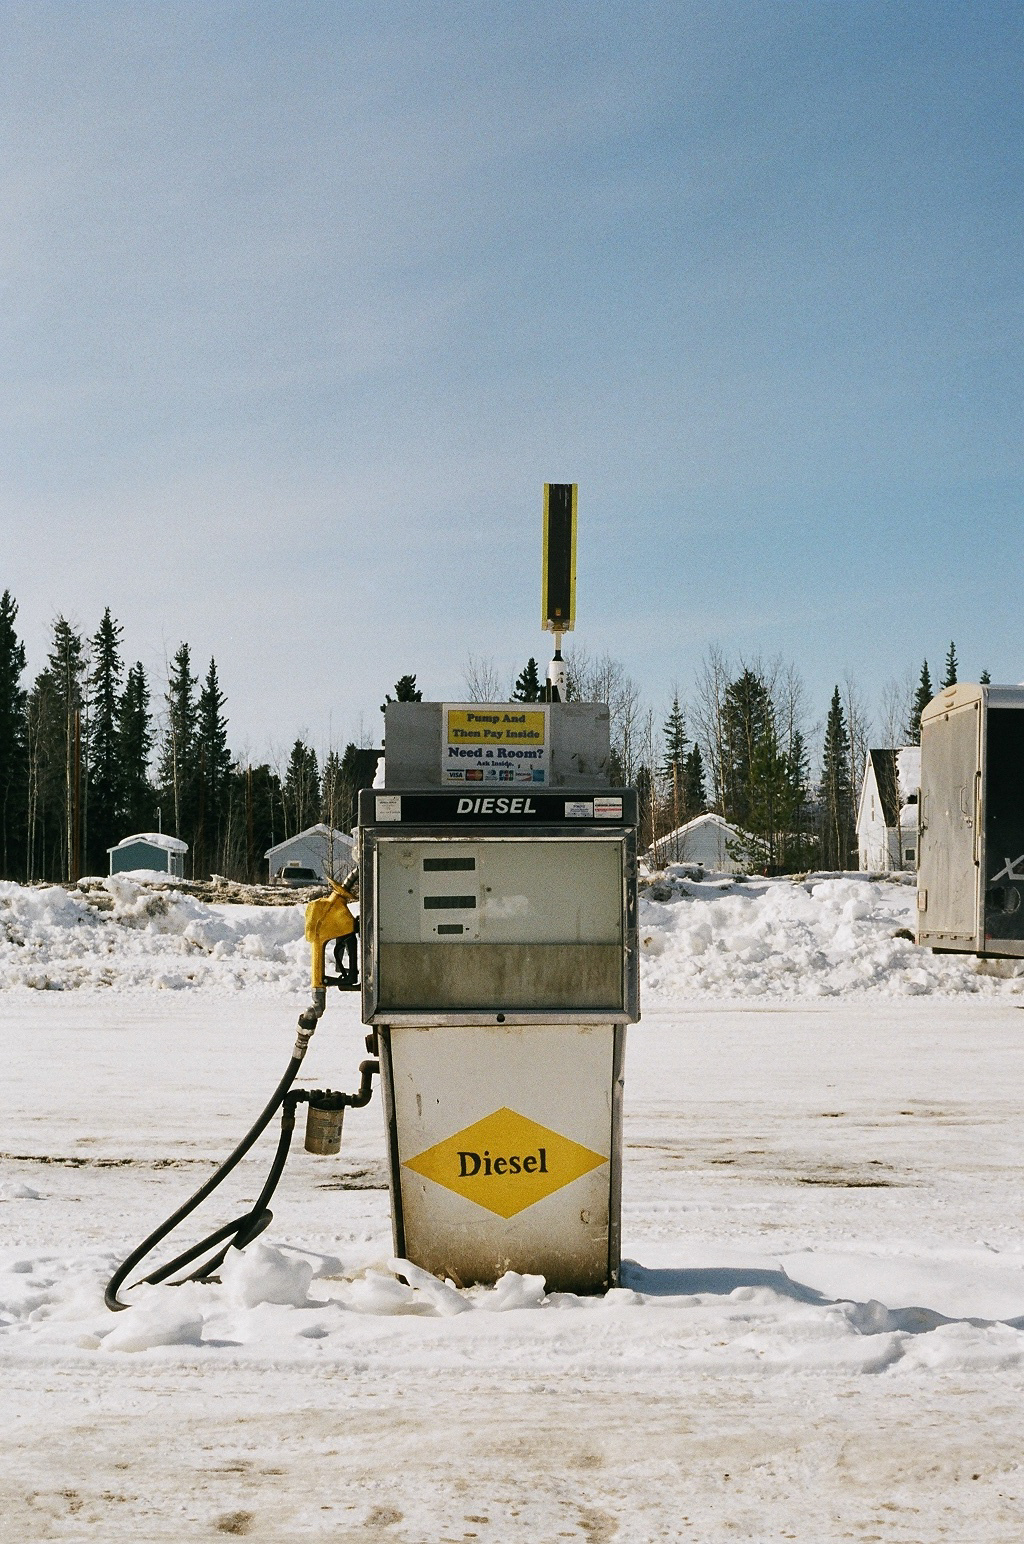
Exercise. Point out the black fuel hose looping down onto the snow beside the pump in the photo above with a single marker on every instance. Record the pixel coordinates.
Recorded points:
(243, 1230)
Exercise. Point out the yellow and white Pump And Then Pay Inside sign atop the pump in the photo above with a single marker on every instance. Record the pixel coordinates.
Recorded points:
(497, 745)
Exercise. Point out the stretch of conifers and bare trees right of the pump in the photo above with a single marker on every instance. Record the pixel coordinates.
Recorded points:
(747, 754)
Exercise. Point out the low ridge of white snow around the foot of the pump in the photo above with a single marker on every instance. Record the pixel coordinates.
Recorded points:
(270, 1304)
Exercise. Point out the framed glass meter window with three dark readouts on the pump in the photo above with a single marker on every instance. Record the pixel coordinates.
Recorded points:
(500, 924)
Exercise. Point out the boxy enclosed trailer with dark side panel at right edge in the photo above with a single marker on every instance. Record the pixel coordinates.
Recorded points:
(971, 876)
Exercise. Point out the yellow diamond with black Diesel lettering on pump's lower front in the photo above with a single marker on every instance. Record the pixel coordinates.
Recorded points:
(506, 1162)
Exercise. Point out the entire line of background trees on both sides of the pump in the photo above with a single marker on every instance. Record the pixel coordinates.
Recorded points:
(89, 757)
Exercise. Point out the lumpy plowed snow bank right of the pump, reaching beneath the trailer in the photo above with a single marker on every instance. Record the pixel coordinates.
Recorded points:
(822, 938)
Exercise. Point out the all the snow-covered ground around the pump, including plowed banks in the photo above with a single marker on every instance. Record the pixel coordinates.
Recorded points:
(821, 1335)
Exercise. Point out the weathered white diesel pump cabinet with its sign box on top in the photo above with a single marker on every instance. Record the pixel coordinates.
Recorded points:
(500, 972)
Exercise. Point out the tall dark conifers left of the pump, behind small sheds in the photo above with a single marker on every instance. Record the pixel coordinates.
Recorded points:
(87, 759)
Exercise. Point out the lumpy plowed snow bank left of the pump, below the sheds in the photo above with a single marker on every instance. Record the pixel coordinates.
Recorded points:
(124, 935)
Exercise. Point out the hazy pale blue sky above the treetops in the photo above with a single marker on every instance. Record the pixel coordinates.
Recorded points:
(303, 303)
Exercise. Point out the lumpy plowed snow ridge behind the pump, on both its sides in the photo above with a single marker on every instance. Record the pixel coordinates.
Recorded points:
(759, 938)
